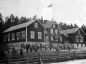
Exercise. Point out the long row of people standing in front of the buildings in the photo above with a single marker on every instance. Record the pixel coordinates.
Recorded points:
(35, 48)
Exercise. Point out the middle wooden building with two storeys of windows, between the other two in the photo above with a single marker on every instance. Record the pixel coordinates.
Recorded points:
(50, 31)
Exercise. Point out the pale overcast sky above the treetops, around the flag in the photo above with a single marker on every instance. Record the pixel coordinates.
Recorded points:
(67, 11)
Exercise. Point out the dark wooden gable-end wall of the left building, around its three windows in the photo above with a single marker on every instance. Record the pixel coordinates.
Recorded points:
(36, 30)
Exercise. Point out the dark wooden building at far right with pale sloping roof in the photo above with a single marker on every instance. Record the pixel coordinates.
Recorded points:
(75, 36)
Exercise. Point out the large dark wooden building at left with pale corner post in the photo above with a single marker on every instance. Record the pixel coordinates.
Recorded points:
(30, 32)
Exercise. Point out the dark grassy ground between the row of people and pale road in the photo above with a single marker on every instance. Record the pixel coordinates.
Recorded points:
(47, 56)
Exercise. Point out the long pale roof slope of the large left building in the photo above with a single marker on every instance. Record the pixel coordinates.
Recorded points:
(19, 26)
